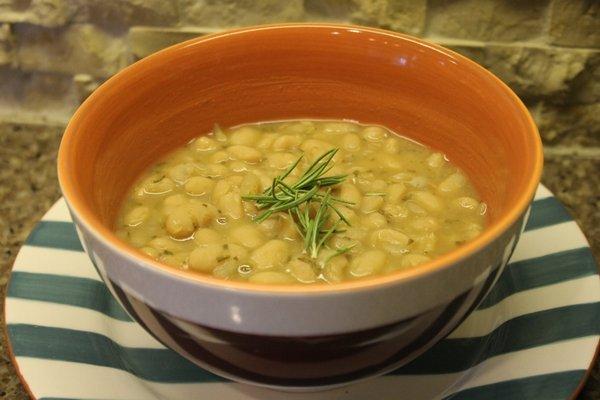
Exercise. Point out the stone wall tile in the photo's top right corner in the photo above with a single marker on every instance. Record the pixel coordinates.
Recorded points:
(575, 23)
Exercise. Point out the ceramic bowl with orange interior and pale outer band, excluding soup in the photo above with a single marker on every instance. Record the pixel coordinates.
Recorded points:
(301, 337)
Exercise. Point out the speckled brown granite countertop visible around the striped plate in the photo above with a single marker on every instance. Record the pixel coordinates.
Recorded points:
(28, 187)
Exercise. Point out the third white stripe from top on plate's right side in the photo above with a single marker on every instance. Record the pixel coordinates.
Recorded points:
(570, 293)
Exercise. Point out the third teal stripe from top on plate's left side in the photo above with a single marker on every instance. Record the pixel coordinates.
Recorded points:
(95, 349)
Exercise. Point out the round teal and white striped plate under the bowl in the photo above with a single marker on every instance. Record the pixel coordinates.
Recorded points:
(534, 337)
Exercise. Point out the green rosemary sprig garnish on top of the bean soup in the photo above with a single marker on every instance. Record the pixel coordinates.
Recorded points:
(306, 202)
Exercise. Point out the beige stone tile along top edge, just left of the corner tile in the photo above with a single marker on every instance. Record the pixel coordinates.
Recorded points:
(489, 20)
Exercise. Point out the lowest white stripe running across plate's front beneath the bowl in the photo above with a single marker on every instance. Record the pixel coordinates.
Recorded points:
(50, 378)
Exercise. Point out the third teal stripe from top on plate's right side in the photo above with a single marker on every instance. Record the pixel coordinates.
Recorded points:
(520, 333)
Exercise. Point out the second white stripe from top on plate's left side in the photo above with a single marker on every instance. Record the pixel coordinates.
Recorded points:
(45, 260)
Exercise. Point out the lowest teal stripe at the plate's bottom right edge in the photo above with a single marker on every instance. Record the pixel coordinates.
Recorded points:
(556, 386)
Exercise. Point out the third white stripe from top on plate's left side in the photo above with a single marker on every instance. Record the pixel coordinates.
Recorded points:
(127, 334)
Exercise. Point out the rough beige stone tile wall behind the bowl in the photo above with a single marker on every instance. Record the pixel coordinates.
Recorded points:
(53, 53)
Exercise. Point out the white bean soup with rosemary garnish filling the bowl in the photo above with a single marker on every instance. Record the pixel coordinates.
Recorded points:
(300, 202)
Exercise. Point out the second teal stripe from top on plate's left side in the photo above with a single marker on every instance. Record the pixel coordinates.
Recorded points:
(73, 291)
